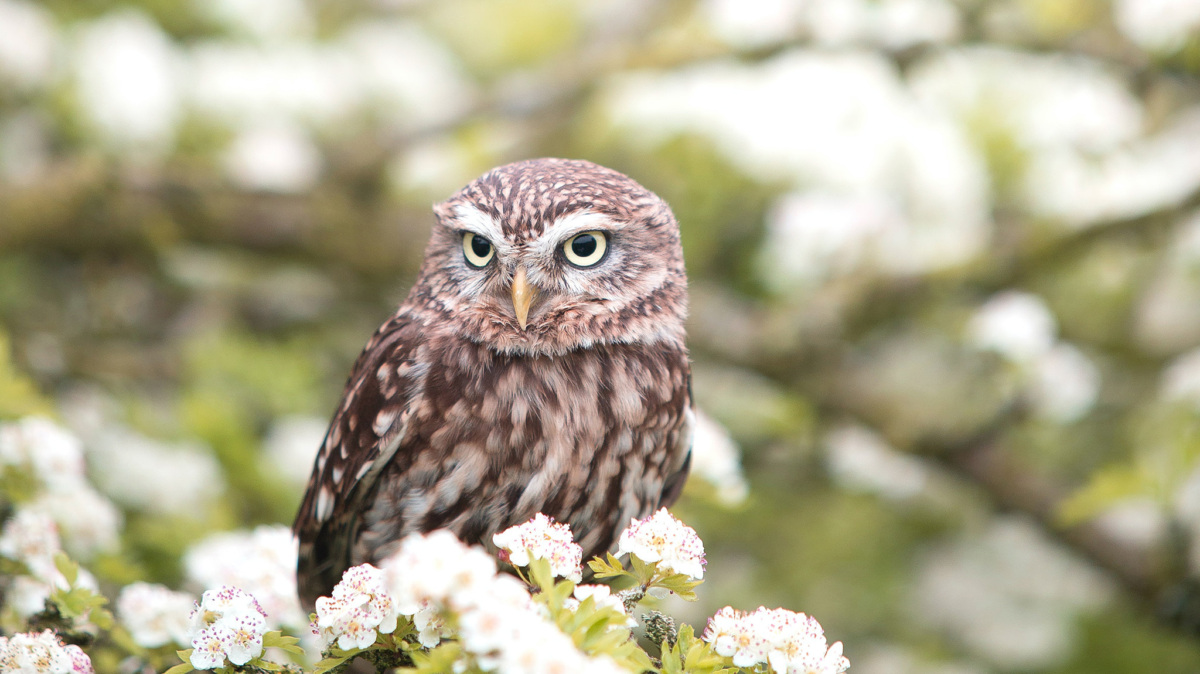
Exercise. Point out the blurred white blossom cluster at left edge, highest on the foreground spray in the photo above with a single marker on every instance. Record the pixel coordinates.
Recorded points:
(55, 459)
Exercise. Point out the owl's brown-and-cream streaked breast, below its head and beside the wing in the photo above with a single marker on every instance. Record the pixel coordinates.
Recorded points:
(587, 438)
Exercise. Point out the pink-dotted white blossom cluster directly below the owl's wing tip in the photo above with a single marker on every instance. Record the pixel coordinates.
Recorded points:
(359, 610)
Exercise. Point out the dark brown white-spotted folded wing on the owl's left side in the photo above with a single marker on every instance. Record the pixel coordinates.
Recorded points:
(369, 428)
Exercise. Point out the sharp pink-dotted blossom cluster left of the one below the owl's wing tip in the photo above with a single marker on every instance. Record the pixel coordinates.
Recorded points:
(227, 627)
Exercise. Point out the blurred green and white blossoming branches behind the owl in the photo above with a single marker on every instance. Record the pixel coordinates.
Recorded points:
(945, 262)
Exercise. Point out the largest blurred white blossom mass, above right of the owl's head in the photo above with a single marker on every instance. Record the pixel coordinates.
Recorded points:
(861, 143)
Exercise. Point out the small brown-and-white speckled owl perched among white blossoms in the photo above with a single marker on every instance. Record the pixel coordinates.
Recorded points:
(538, 365)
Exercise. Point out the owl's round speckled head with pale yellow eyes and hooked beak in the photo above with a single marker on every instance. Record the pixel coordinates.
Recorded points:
(549, 256)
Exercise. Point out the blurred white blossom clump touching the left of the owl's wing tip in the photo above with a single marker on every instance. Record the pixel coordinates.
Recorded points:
(261, 562)
